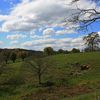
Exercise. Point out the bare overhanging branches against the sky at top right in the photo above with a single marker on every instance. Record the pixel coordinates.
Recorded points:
(84, 17)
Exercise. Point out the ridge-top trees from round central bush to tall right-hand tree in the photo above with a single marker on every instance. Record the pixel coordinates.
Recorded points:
(92, 43)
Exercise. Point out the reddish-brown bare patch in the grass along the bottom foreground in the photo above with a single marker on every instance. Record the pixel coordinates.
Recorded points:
(57, 93)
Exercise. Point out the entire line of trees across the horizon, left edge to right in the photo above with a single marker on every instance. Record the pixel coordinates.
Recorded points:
(92, 43)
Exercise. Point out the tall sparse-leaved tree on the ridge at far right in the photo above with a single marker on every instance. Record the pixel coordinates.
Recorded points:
(92, 40)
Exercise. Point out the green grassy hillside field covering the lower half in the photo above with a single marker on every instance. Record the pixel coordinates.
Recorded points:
(18, 81)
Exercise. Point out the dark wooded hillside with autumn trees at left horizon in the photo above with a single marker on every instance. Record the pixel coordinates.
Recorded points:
(7, 55)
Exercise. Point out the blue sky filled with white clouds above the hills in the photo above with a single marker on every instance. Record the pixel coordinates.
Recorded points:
(36, 24)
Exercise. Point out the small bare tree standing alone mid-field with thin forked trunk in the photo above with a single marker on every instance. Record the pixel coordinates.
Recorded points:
(39, 66)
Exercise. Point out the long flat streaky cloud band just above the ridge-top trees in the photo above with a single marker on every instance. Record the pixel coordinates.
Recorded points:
(64, 43)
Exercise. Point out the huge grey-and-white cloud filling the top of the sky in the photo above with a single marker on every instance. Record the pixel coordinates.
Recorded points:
(50, 13)
